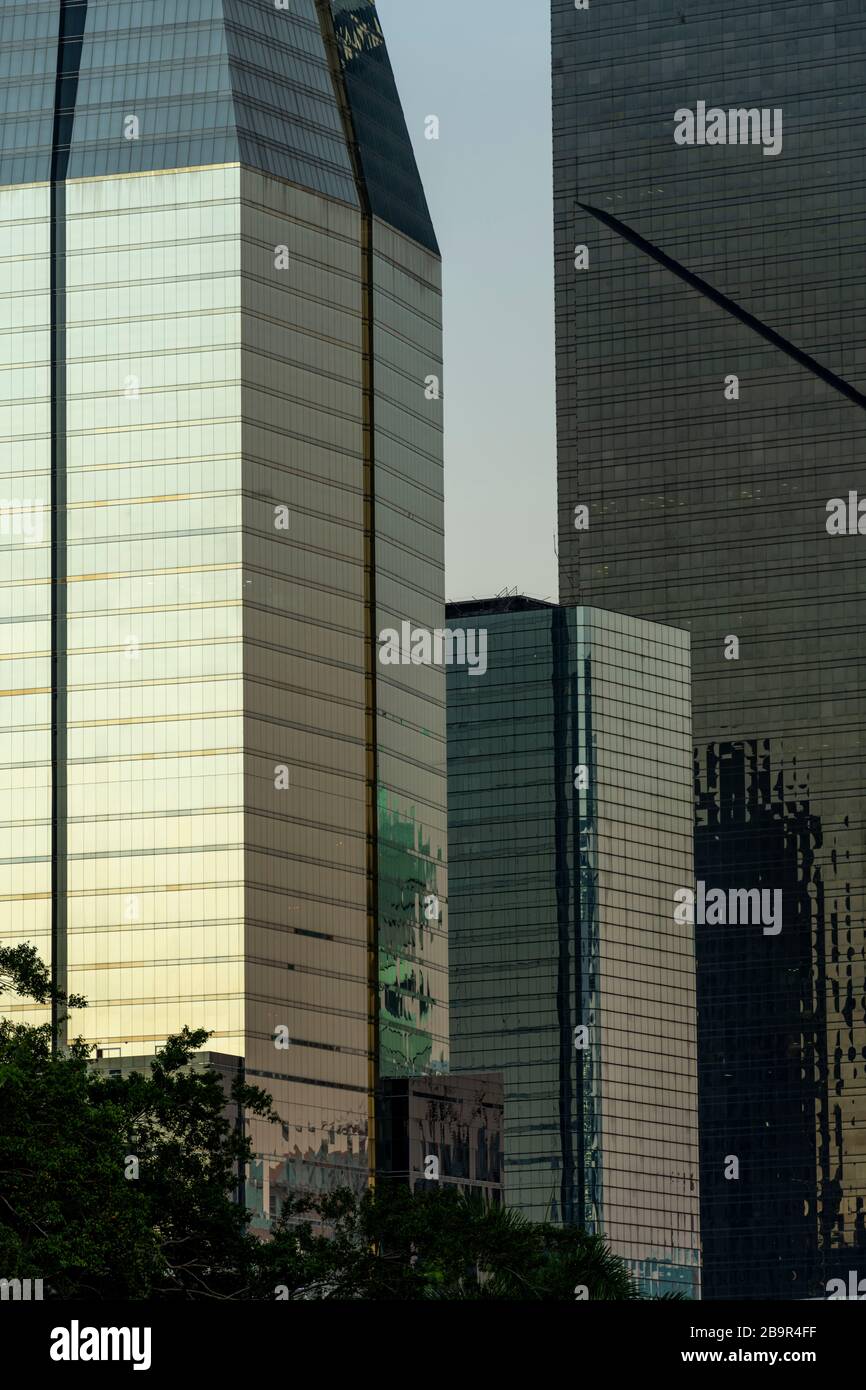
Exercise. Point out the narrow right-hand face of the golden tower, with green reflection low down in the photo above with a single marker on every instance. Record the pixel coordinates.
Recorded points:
(411, 700)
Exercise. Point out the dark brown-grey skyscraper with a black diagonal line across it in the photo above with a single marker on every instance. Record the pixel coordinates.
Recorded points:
(711, 372)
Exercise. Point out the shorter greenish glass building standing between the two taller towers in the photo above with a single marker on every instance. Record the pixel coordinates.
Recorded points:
(571, 831)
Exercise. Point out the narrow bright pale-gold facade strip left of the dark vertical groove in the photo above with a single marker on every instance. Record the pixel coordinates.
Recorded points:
(26, 559)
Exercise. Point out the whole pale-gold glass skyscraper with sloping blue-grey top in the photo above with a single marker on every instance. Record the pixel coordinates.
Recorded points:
(222, 457)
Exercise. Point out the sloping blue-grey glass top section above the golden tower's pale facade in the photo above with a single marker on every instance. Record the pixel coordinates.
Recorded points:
(206, 83)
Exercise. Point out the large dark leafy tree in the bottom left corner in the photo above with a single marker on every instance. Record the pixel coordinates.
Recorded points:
(74, 1210)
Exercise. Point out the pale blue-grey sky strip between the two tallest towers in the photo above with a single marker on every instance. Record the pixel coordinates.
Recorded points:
(484, 69)
